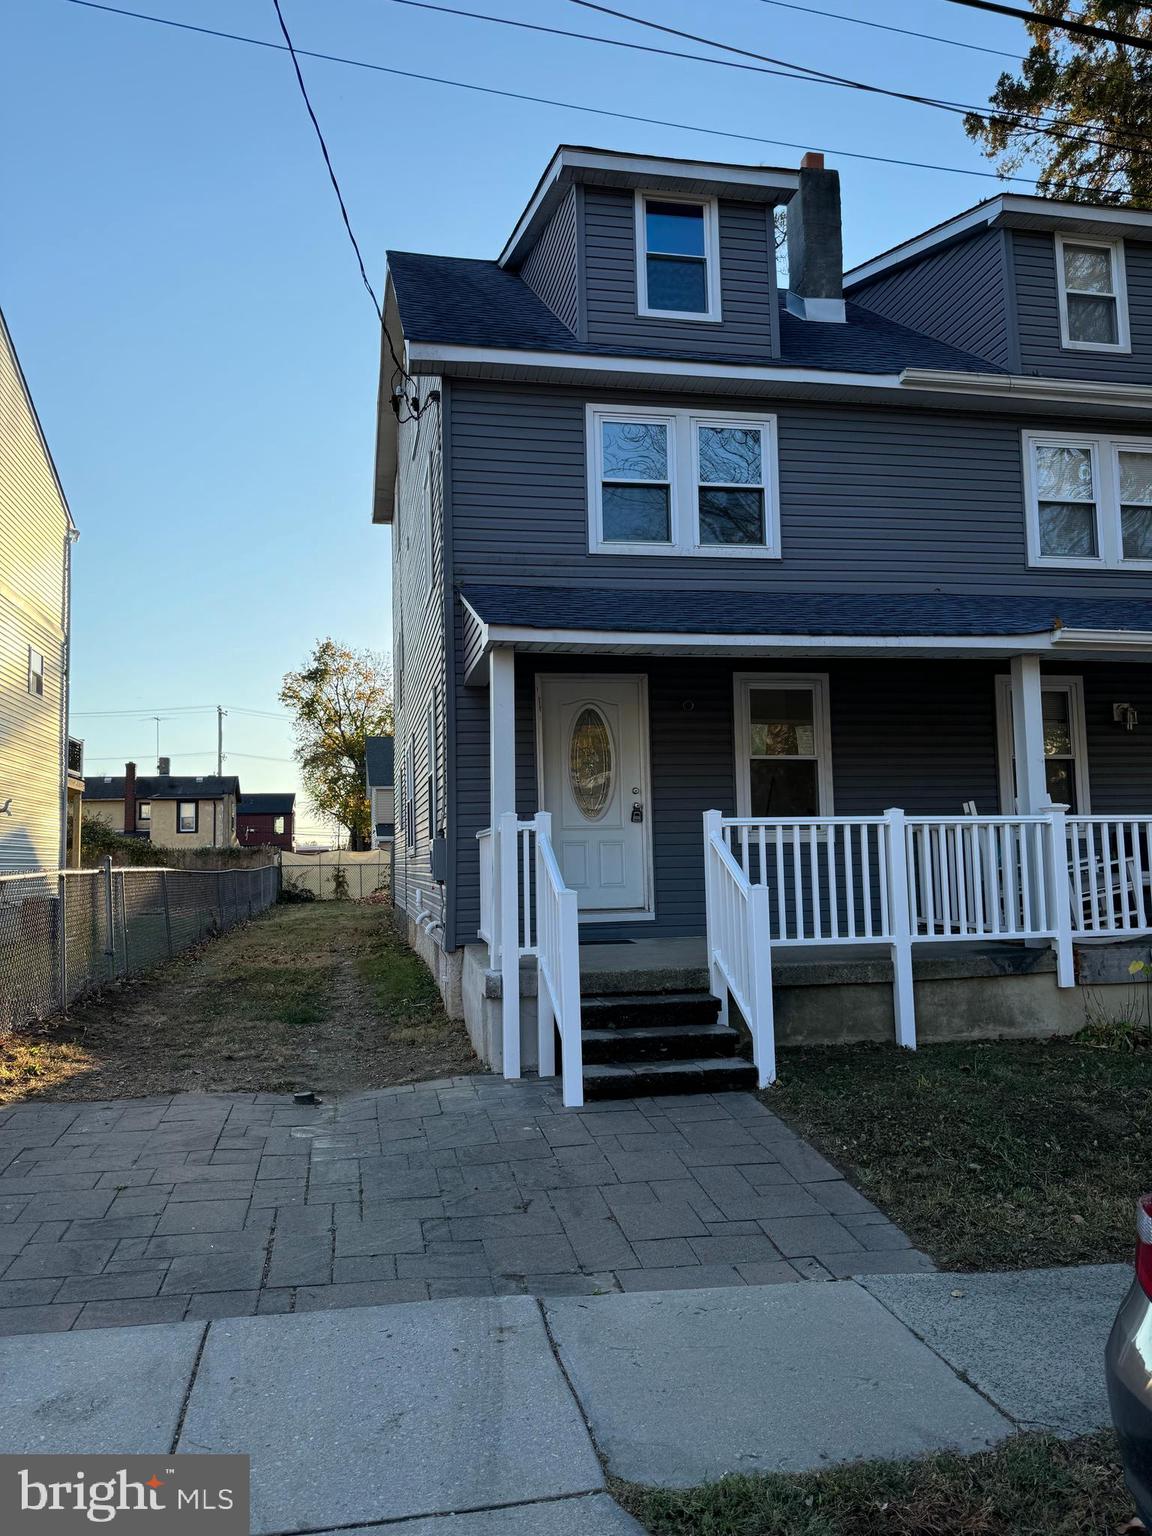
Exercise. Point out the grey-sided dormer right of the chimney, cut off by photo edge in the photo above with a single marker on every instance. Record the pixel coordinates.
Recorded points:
(1036, 286)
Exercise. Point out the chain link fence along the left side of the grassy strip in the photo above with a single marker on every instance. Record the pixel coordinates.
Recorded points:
(70, 932)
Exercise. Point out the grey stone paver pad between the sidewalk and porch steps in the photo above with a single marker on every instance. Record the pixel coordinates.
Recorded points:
(208, 1207)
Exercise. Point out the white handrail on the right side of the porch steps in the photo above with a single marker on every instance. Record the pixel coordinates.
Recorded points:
(740, 945)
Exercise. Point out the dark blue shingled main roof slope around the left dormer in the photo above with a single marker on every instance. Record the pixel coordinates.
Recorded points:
(482, 305)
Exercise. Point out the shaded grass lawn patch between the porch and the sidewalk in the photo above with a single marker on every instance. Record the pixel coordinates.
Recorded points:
(1001, 1156)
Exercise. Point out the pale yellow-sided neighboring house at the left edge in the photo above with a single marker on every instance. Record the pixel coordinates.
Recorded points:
(41, 778)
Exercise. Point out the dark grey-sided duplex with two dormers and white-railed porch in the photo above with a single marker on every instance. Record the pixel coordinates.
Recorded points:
(780, 658)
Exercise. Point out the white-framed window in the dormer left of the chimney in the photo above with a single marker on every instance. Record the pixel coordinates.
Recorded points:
(678, 257)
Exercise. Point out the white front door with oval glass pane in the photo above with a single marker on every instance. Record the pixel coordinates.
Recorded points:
(594, 753)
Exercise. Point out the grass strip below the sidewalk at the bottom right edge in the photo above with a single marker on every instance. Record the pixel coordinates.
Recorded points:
(1033, 1486)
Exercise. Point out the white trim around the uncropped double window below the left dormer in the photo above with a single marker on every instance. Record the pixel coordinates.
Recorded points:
(683, 483)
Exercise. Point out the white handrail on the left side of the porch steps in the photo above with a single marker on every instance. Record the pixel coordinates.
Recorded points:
(558, 970)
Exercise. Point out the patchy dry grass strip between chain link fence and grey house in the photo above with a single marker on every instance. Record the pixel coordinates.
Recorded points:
(319, 996)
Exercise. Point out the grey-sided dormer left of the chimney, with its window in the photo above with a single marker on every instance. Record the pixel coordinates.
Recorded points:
(666, 256)
